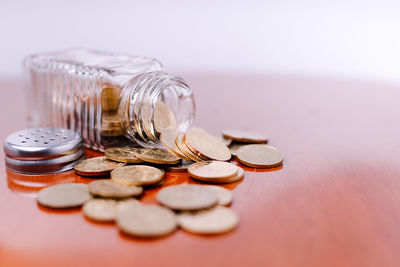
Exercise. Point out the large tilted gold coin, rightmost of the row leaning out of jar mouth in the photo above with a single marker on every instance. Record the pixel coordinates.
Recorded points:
(206, 145)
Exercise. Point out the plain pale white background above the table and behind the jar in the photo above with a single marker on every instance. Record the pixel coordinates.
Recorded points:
(340, 38)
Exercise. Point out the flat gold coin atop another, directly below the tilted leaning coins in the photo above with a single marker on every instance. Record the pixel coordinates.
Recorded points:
(212, 170)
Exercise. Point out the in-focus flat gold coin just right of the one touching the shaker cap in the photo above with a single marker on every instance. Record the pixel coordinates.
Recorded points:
(137, 175)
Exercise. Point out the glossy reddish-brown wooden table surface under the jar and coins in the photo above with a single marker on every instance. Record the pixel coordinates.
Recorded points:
(334, 202)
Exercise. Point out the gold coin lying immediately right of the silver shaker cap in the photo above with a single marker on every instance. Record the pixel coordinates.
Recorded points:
(96, 166)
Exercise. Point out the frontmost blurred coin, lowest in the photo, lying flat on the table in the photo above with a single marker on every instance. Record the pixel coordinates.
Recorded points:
(145, 220)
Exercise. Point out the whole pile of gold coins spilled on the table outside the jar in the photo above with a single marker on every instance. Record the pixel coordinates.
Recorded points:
(195, 208)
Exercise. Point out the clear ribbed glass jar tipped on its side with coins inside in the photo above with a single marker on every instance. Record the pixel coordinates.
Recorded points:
(110, 99)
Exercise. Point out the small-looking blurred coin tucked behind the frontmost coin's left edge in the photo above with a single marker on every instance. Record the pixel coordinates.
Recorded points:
(102, 210)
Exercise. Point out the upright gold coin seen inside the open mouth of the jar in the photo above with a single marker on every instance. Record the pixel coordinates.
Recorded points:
(164, 118)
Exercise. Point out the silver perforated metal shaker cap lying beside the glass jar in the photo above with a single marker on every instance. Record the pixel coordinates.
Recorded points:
(42, 150)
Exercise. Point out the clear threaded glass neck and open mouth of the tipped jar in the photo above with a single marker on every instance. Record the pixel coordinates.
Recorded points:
(155, 101)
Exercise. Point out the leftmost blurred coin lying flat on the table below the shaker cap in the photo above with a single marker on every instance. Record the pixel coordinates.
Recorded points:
(64, 196)
